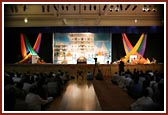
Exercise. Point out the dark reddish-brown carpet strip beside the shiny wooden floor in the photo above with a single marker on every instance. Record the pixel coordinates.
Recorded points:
(111, 97)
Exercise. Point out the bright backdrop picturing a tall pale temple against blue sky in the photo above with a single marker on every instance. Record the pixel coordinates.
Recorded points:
(74, 48)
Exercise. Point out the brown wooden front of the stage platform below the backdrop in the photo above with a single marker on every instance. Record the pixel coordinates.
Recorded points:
(107, 69)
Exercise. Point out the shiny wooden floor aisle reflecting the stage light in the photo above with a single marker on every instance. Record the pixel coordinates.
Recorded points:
(79, 95)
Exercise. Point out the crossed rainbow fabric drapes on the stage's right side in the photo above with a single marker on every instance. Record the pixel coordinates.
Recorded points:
(138, 49)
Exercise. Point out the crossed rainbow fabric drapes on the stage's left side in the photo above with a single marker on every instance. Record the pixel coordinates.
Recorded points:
(27, 50)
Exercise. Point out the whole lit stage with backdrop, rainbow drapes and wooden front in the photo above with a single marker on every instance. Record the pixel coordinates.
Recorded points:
(74, 51)
